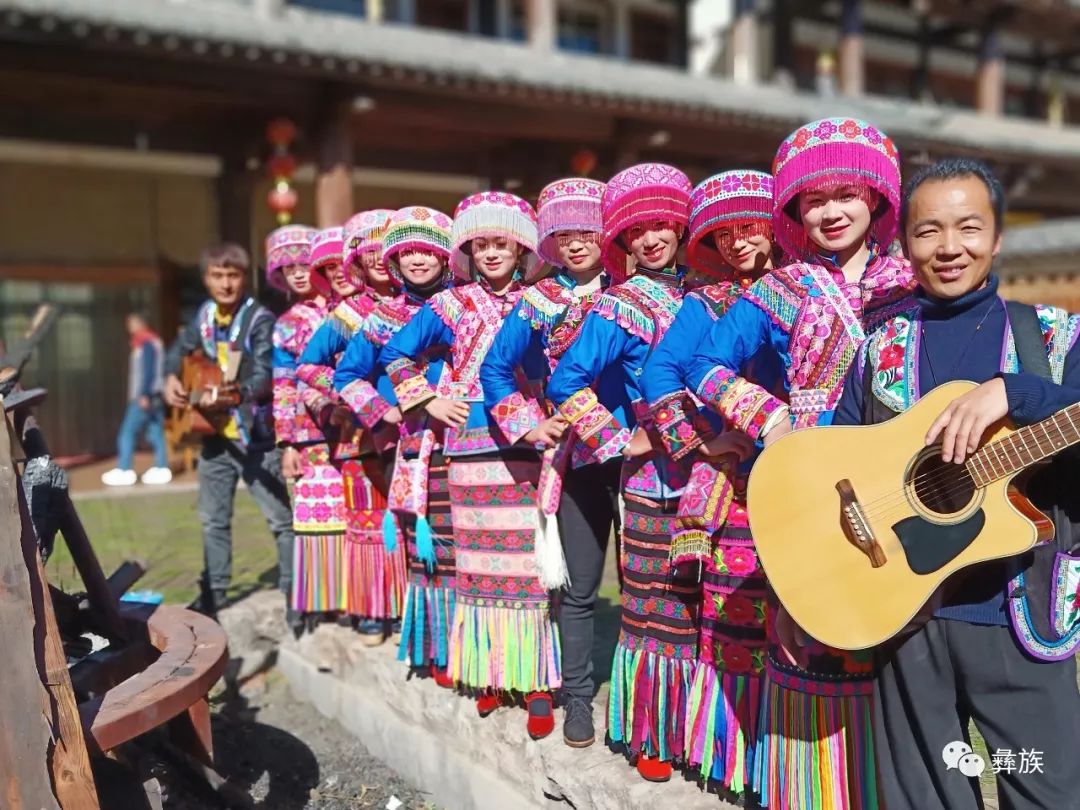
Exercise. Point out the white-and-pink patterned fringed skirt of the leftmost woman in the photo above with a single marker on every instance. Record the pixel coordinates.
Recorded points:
(319, 523)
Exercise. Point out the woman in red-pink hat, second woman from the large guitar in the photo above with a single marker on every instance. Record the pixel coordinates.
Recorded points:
(731, 241)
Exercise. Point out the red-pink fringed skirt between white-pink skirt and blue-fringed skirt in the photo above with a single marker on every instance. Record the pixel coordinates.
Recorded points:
(373, 579)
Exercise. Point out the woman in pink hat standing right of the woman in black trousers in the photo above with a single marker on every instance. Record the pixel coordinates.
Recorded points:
(646, 211)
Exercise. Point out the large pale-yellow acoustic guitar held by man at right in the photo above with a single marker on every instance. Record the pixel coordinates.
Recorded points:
(857, 528)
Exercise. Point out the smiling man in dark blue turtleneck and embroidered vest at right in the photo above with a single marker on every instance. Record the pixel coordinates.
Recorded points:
(991, 653)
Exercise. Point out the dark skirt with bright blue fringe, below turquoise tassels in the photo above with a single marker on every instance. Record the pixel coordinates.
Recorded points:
(429, 595)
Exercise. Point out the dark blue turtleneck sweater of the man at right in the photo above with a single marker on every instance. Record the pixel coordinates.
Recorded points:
(955, 348)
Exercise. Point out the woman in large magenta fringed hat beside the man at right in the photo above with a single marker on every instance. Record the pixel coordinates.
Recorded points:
(836, 204)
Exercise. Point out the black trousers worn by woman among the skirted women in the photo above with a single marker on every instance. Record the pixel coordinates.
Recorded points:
(587, 512)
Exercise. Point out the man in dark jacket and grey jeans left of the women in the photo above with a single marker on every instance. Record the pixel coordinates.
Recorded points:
(231, 326)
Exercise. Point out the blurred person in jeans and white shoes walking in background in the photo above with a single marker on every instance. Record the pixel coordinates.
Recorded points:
(146, 411)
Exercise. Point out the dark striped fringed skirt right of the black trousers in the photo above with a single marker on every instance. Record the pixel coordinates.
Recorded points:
(655, 660)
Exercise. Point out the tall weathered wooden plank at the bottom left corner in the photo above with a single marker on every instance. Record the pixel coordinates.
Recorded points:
(44, 760)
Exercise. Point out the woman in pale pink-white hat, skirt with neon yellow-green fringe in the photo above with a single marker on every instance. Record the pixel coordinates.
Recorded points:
(503, 641)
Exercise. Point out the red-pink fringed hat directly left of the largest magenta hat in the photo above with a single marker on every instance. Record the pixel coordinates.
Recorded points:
(740, 196)
